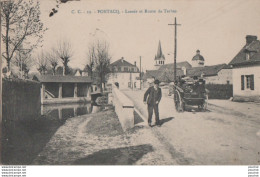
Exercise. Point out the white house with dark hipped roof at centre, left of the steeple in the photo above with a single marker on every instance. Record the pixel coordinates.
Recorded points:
(125, 74)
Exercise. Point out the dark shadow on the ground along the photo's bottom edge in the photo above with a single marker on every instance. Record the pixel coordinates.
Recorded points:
(118, 156)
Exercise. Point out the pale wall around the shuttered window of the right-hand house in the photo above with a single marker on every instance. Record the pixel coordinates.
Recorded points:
(247, 94)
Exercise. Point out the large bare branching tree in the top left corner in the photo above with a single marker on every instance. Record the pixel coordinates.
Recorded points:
(21, 26)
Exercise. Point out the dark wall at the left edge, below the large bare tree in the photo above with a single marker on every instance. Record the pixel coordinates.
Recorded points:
(21, 99)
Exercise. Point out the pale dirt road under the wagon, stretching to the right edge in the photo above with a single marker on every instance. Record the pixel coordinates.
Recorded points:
(227, 133)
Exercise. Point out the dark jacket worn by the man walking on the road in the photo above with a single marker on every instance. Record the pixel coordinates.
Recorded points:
(153, 95)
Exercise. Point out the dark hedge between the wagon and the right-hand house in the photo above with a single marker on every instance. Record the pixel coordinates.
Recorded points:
(220, 91)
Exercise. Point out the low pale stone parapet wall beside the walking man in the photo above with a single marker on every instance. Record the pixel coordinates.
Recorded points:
(124, 108)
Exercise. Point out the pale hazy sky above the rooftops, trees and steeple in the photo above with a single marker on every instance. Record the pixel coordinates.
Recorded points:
(216, 27)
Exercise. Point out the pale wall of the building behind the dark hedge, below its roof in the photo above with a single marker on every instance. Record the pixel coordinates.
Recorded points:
(224, 77)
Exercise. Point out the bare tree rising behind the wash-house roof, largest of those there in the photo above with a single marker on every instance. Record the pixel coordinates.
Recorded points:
(64, 52)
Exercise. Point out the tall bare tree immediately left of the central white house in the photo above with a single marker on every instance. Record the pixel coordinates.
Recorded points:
(101, 61)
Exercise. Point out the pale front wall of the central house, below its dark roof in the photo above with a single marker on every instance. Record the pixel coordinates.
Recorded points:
(123, 79)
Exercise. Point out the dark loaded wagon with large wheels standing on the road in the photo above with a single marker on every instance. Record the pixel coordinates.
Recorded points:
(188, 91)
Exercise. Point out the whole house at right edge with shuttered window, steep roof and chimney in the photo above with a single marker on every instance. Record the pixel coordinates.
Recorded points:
(246, 71)
